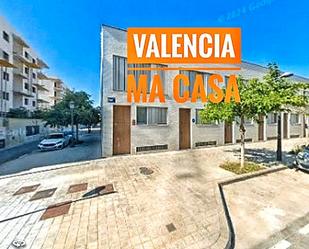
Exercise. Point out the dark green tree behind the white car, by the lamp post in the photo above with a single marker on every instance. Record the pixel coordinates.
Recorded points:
(60, 114)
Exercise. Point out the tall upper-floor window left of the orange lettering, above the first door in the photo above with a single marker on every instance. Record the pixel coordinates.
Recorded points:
(119, 73)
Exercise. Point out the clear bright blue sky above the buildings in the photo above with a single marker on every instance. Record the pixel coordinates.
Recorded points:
(66, 34)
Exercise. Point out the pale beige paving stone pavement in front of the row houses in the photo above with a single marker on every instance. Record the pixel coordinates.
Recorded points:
(182, 191)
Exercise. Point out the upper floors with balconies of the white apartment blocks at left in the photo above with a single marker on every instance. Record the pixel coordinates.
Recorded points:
(23, 83)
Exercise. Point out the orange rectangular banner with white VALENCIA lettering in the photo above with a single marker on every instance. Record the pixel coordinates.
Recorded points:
(184, 45)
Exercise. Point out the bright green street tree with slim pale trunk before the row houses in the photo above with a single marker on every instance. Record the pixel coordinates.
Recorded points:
(258, 97)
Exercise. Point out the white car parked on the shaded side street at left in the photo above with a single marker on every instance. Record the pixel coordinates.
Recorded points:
(54, 141)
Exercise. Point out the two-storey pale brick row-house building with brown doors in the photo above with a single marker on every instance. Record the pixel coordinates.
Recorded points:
(130, 128)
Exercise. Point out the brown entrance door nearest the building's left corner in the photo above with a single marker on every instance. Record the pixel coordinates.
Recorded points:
(121, 130)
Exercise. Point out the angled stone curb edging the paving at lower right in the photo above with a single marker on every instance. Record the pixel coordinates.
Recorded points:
(230, 244)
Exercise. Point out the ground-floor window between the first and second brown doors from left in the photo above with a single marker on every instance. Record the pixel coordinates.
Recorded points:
(151, 115)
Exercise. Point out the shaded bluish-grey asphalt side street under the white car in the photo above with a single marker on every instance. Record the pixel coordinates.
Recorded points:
(88, 150)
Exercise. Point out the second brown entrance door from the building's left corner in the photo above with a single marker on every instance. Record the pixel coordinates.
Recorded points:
(184, 129)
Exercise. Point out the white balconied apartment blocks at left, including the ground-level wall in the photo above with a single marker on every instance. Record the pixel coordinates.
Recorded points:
(23, 85)
